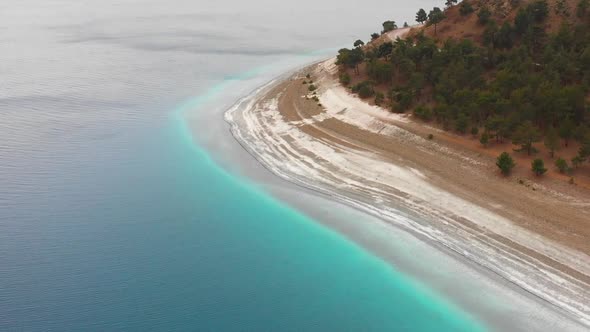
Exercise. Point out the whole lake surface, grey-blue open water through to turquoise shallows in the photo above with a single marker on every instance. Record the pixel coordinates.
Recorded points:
(111, 218)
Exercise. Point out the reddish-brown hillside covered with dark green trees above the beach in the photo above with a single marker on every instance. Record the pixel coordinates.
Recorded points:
(512, 74)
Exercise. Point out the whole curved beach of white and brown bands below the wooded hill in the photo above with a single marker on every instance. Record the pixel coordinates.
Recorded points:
(532, 234)
